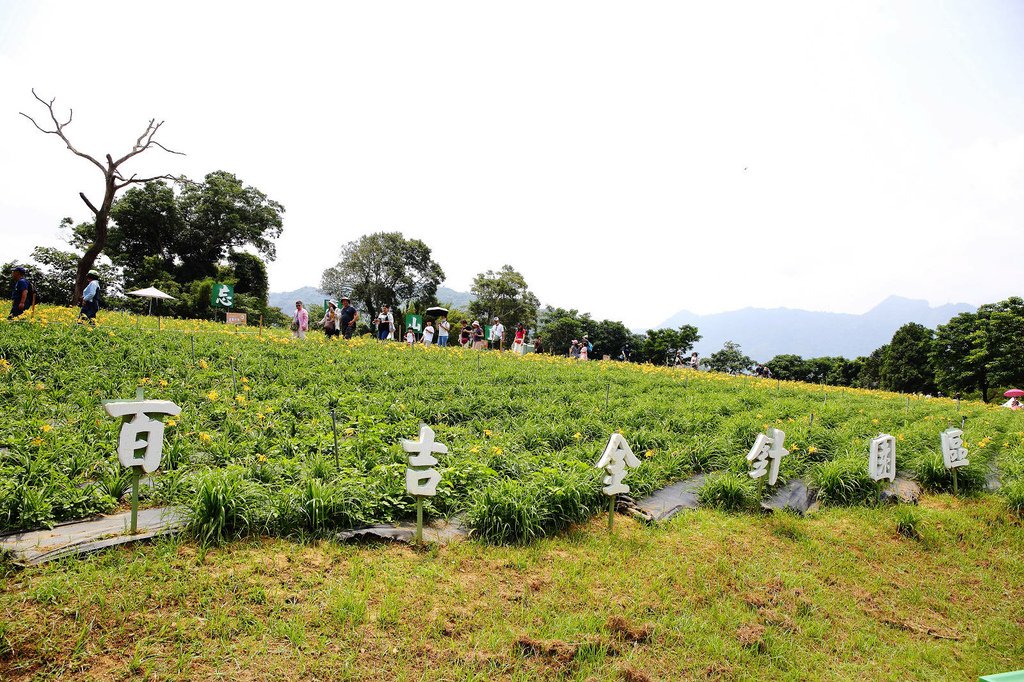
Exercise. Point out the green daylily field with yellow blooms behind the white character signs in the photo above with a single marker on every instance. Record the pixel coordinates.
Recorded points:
(253, 453)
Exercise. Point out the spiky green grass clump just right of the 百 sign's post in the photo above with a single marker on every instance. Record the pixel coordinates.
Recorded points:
(226, 505)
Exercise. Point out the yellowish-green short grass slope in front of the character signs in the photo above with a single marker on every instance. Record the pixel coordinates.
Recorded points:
(839, 595)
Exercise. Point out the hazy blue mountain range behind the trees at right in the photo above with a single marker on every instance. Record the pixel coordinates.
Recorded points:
(765, 333)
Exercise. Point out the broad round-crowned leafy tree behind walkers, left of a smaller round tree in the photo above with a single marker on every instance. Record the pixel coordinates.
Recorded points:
(385, 268)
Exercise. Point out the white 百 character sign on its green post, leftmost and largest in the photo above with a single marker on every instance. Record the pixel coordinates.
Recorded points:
(137, 422)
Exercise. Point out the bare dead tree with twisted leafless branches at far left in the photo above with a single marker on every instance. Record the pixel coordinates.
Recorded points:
(114, 181)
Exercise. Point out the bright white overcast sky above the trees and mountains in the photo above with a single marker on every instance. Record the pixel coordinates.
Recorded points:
(630, 159)
